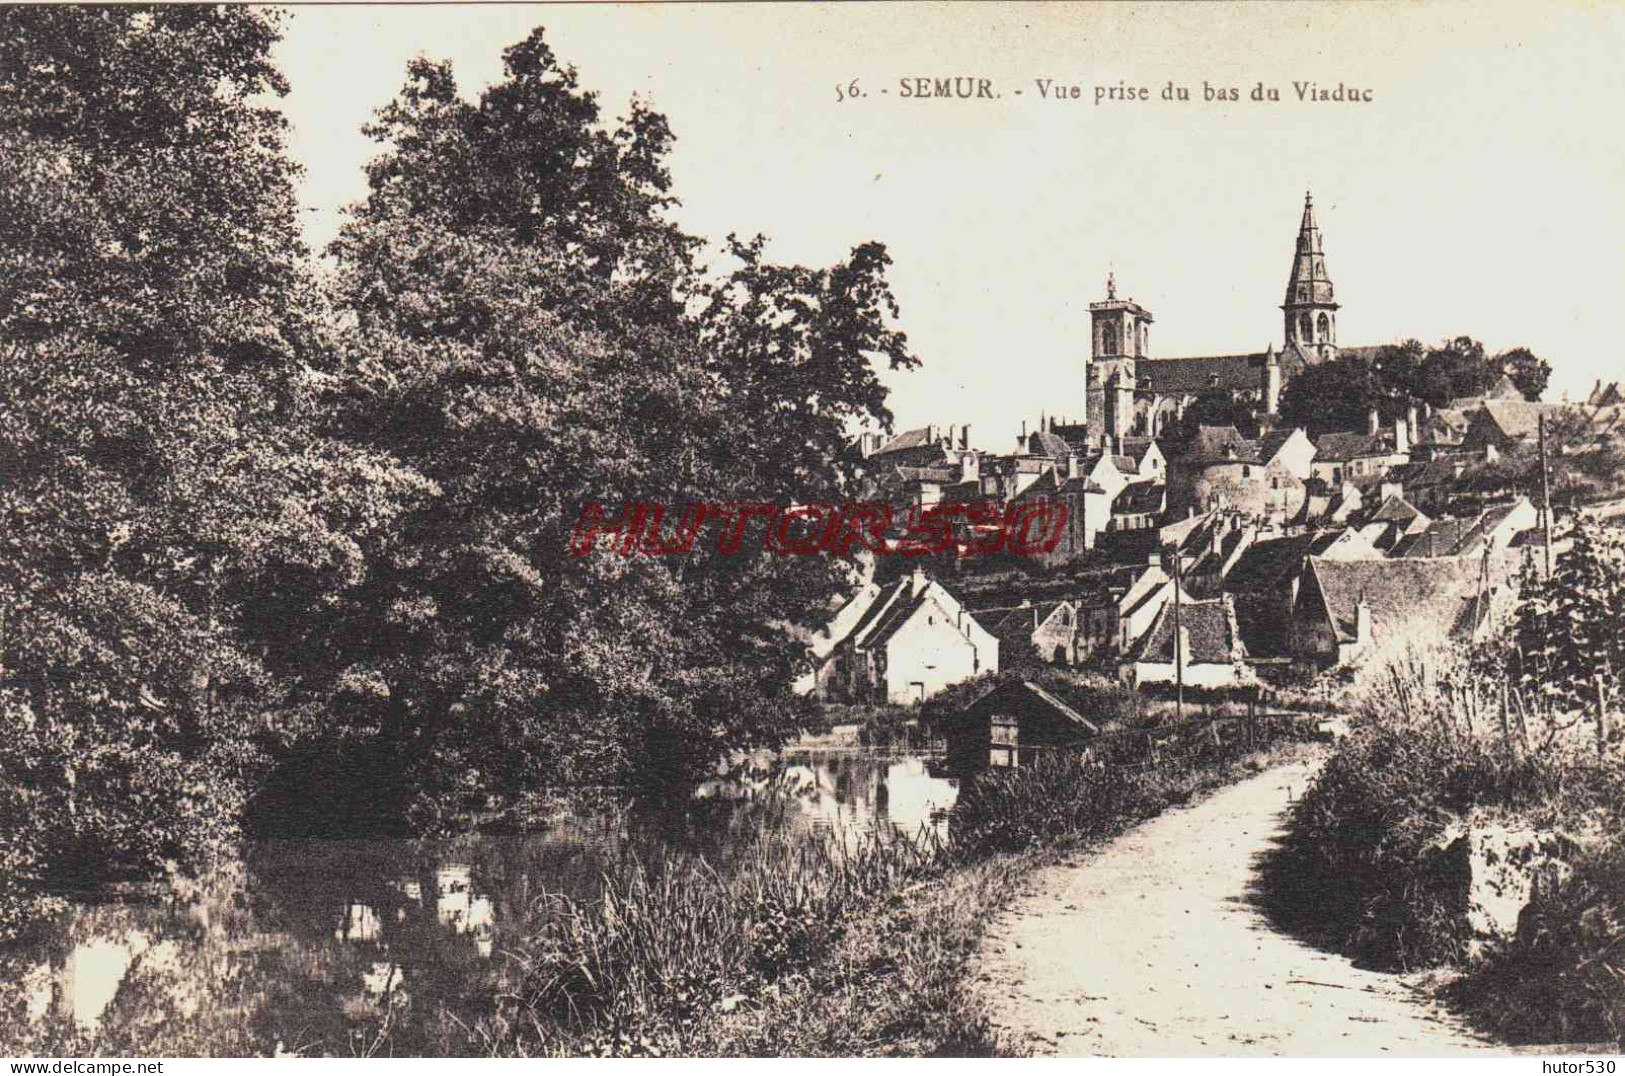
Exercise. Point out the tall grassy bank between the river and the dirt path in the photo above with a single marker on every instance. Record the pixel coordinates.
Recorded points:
(812, 948)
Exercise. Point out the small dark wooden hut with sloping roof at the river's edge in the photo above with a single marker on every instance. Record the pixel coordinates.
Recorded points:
(1016, 721)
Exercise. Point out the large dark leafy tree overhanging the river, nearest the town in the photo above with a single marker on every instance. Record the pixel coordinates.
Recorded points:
(534, 334)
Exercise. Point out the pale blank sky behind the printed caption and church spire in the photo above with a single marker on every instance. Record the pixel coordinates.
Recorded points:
(1478, 193)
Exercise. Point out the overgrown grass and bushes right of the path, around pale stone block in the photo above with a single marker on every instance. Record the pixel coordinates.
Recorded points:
(1369, 869)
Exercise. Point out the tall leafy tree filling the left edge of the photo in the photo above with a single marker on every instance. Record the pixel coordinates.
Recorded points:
(168, 516)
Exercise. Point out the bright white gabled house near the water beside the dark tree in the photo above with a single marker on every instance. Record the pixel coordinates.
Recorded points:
(912, 641)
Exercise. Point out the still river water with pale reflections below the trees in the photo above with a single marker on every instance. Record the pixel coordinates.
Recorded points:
(306, 947)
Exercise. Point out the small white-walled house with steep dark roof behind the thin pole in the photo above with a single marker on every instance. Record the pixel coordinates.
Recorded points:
(1207, 641)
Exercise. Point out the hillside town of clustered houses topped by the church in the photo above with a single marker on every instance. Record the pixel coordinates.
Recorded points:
(1215, 557)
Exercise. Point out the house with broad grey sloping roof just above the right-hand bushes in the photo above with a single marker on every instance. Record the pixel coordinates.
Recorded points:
(1346, 607)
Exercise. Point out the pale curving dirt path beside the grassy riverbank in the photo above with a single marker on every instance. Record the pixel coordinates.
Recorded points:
(1151, 947)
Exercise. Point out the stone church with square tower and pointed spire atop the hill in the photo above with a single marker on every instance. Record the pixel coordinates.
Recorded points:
(1130, 394)
